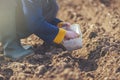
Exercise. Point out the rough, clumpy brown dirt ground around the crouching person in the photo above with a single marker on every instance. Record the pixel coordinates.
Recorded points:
(98, 59)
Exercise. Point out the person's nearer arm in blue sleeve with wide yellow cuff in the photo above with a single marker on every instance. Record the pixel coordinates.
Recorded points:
(37, 24)
